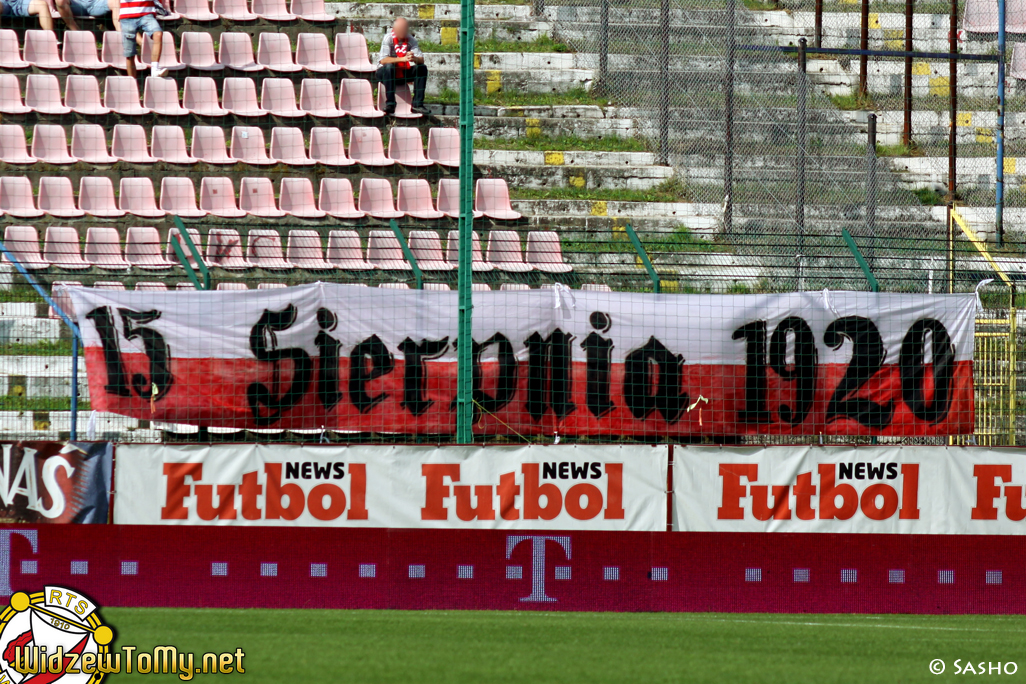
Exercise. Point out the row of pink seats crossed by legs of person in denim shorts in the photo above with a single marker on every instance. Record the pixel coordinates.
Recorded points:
(274, 53)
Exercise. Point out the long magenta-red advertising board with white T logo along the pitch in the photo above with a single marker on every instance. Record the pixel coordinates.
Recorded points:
(489, 570)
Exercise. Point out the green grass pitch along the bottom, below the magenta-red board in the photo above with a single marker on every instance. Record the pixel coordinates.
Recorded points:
(492, 648)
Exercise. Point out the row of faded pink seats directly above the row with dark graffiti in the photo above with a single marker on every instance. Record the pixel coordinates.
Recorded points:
(256, 198)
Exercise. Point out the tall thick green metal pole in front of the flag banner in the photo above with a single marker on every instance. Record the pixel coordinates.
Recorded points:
(465, 378)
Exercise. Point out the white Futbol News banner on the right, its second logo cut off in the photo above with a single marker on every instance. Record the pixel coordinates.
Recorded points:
(884, 491)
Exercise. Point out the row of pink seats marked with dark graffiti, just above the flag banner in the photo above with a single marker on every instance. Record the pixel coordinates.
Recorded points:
(224, 249)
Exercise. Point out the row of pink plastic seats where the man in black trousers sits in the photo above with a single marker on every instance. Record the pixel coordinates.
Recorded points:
(43, 95)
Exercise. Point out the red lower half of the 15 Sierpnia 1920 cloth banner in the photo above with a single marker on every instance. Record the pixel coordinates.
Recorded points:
(217, 393)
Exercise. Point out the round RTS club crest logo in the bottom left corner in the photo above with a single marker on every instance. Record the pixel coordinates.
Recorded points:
(53, 636)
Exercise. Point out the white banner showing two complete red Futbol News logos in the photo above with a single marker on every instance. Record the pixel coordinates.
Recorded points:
(519, 488)
